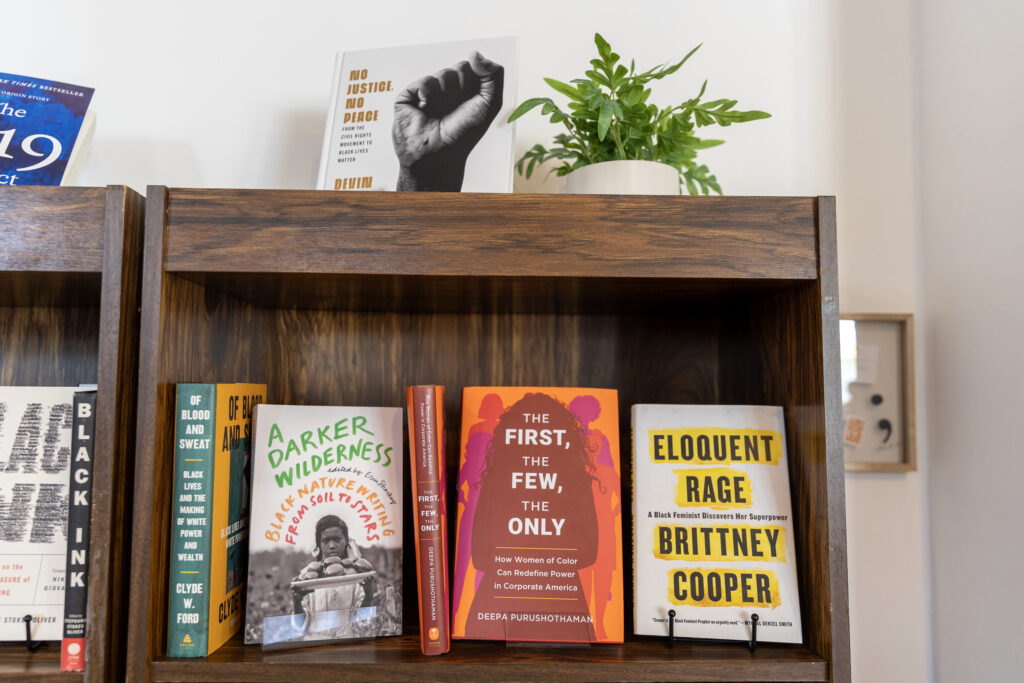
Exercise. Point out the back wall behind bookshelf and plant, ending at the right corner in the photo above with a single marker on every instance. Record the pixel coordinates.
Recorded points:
(230, 94)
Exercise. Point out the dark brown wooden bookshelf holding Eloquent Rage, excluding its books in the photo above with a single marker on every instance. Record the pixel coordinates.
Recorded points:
(349, 297)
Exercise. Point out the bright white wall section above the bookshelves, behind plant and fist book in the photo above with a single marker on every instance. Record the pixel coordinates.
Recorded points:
(235, 94)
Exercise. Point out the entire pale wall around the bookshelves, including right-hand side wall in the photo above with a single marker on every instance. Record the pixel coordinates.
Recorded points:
(885, 105)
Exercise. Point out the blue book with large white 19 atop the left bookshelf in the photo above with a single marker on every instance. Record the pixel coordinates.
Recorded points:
(44, 131)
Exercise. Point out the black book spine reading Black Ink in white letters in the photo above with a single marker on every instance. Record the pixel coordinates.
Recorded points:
(79, 514)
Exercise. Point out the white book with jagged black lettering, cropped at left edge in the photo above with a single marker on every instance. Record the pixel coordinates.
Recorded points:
(35, 460)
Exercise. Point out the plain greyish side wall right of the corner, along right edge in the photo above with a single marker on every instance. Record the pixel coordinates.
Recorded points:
(972, 148)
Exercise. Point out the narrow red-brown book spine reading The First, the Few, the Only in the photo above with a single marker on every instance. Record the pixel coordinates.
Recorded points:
(426, 449)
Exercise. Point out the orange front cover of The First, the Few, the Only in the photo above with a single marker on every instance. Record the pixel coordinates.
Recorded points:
(539, 531)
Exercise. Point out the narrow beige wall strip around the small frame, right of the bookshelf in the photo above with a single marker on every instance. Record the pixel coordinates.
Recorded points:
(887, 523)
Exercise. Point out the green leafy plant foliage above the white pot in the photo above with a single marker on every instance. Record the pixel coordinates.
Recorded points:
(610, 118)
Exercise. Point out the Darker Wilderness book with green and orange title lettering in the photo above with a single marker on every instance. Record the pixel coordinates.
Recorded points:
(325, 554)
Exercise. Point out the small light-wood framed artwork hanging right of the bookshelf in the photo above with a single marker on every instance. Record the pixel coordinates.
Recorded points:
(877, 357)
